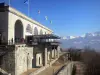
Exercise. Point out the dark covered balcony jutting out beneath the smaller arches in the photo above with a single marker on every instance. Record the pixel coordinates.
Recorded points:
(43, 39)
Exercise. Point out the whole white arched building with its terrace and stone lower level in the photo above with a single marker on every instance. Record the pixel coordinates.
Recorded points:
(24, 43)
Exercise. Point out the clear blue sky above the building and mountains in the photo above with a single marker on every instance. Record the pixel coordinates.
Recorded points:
(69, 17)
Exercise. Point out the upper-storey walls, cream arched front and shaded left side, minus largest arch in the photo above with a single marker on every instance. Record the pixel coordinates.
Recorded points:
(8, 21)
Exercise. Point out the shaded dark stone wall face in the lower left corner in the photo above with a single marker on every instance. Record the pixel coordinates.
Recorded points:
(7, 65)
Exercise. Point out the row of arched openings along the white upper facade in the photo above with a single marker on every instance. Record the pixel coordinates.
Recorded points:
(19, 30)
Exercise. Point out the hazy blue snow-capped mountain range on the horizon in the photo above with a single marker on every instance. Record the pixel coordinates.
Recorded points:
(88, 39)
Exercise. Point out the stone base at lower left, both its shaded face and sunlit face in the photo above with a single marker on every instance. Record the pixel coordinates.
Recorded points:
(16, 60)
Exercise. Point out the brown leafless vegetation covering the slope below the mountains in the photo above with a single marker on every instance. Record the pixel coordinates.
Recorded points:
(89, 57)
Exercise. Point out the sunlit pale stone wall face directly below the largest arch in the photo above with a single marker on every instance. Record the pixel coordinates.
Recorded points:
(23, 58)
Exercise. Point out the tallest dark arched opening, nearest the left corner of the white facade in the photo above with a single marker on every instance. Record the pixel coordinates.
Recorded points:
(18, 31)
